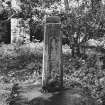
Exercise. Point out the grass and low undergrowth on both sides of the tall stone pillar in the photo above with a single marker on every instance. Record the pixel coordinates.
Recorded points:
(24, 64)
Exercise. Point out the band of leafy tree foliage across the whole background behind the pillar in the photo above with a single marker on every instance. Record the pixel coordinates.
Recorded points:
(81, 19)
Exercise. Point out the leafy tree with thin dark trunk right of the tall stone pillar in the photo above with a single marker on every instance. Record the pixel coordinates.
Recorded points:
(83, 22)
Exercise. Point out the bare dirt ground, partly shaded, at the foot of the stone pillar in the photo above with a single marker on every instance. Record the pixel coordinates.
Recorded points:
(30, 95)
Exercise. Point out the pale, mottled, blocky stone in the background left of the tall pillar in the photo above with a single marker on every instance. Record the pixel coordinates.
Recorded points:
(19, 30)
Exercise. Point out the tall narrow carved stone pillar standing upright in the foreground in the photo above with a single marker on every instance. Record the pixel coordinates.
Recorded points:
(52, 55)
